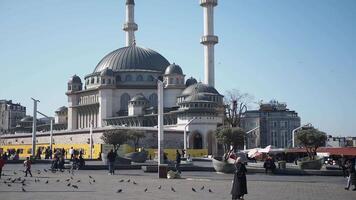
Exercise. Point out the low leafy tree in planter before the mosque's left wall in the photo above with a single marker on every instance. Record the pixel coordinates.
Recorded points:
(115, 137)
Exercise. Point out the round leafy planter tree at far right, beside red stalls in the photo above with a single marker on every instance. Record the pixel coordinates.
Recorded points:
(311, 139)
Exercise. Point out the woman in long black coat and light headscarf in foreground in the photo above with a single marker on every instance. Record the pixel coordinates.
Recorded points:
(239, 184)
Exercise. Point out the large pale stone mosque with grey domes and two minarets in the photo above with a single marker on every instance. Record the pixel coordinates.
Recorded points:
(121, 93)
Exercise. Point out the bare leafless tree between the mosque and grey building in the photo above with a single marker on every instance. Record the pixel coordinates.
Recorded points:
(236, 103)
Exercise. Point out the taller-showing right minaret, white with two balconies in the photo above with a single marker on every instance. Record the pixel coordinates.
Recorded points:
(209, 40)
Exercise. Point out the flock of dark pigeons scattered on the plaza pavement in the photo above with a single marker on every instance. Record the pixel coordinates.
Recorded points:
(72, 182)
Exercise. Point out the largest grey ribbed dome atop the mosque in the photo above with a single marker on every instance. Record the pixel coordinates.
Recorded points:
(133, 58)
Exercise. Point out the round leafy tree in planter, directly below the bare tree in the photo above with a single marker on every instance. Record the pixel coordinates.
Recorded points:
(228, 136)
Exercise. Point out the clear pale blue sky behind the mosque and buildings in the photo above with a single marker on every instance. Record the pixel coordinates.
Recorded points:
(300, 52)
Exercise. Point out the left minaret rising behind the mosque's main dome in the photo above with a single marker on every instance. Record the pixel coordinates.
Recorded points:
(130, 26)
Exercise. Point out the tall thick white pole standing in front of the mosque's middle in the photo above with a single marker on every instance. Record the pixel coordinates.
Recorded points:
(160, 125)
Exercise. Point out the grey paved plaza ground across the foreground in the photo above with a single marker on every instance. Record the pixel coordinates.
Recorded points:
(146, 186)
